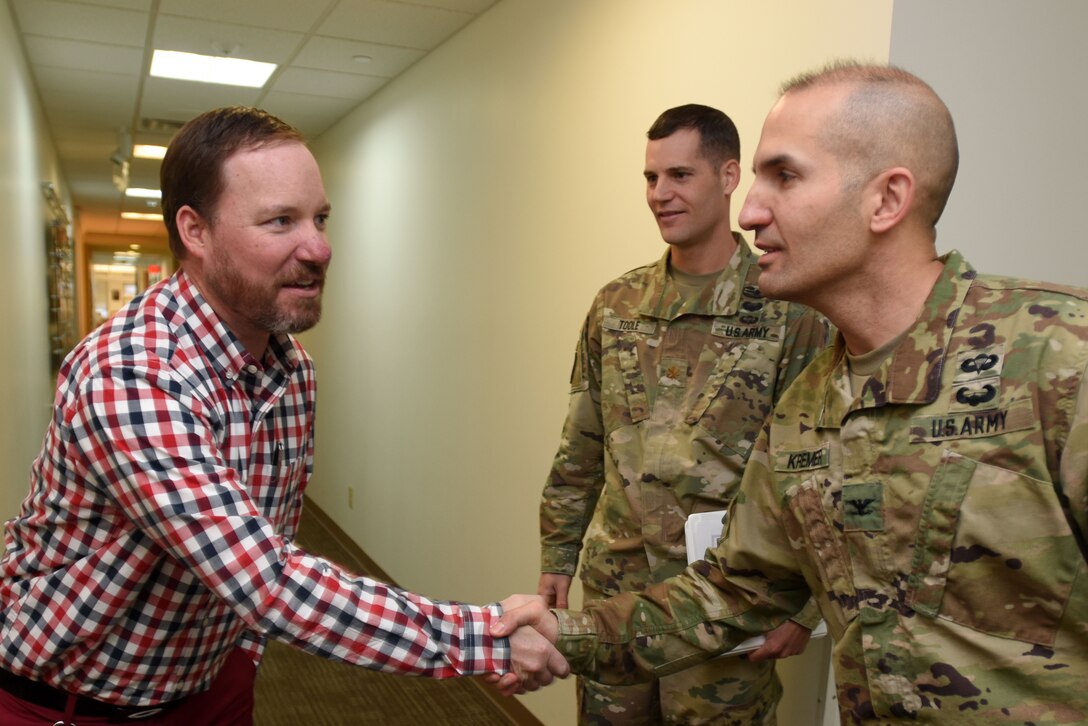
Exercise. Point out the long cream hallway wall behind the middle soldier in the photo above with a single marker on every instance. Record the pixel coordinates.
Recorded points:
(479, 203)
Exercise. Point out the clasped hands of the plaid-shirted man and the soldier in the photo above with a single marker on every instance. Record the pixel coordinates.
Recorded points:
(535, 660)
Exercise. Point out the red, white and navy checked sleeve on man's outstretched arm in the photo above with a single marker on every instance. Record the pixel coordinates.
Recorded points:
(149, 441)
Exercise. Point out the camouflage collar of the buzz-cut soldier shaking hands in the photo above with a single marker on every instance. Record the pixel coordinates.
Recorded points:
(913, 373)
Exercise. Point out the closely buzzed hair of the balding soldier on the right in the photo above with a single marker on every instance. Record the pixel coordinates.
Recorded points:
(892, 118)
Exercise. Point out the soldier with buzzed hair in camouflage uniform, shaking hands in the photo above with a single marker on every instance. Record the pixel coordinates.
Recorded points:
(926, 478)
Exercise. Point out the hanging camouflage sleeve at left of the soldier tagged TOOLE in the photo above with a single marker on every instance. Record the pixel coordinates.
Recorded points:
(577, 475)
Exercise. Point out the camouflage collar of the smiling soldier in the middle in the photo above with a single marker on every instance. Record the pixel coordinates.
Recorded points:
(664, 302)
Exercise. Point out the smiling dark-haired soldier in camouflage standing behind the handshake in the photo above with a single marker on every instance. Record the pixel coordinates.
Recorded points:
(677, 368)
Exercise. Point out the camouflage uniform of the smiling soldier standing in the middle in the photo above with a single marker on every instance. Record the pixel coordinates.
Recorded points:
(667, 400)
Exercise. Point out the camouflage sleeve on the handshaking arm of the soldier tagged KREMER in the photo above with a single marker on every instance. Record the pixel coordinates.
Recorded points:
(749, 585)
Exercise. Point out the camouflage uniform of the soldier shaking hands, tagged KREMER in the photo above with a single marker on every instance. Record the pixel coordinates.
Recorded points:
(939, 520)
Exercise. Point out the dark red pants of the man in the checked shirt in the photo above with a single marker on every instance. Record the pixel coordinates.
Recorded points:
(229, 703)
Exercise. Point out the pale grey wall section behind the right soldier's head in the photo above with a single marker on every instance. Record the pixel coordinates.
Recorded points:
(1012, 73)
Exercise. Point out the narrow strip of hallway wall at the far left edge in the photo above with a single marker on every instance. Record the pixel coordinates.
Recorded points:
(27, 161)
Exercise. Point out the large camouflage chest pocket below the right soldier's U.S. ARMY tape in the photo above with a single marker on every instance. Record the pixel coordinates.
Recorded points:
(994, 552)
